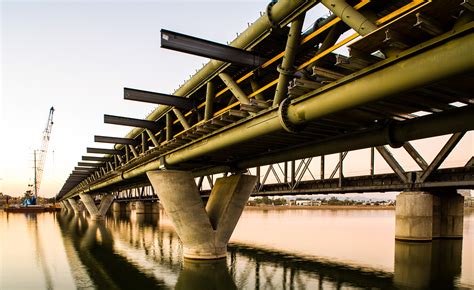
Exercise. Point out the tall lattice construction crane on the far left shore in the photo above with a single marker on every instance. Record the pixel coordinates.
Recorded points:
(40, 159)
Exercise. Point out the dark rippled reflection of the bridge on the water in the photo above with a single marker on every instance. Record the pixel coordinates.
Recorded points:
(144, 252)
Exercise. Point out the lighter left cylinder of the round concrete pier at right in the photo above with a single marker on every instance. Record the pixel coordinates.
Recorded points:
(414, 216)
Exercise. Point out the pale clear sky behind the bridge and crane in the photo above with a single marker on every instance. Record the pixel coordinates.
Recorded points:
(78, 55)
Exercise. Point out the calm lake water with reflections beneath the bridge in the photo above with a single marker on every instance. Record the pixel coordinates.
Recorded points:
(270, 249)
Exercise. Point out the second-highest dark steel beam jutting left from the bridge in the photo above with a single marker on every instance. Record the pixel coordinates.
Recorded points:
(157, 98)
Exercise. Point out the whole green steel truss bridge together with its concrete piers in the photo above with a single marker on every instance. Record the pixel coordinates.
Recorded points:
(277, 98)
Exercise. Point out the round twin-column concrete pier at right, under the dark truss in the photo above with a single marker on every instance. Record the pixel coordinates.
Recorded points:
(422, 216)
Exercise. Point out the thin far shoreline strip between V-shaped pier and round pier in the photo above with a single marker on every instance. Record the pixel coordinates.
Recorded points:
(321, 207)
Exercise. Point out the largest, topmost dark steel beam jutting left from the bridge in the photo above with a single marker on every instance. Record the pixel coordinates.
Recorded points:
(201, 47)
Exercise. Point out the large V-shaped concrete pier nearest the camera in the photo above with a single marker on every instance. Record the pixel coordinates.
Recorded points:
(204, 232)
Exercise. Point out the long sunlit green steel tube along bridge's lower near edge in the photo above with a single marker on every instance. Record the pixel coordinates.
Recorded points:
(440, 58)
